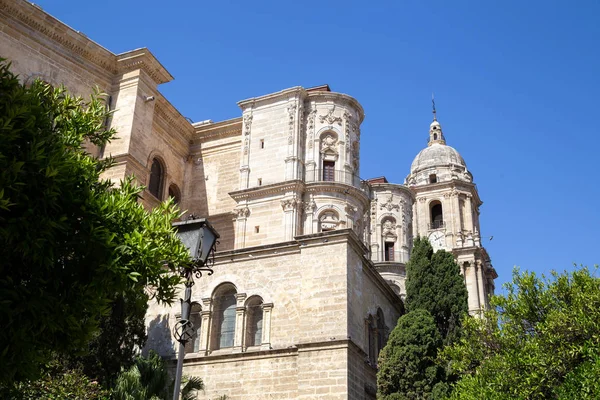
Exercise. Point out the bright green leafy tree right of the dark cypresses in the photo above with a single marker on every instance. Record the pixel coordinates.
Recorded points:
(539, 341)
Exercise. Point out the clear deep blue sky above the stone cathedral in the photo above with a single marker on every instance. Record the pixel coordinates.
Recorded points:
(516, 86)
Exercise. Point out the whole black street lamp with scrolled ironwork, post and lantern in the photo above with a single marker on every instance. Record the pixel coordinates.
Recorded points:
(201, 240)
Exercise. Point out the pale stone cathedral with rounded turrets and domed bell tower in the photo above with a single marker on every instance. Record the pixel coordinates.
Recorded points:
(310, 268)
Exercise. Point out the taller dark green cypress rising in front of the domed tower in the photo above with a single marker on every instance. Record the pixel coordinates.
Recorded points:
(434, 284)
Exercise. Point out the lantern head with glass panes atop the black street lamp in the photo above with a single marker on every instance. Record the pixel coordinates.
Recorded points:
(198, 236)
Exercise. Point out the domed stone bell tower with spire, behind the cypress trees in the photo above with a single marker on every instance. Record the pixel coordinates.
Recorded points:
(446, 211)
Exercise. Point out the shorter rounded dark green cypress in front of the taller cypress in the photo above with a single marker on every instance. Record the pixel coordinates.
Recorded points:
(407, 368)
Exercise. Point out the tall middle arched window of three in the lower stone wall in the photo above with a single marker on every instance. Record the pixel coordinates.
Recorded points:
(224, 317)
